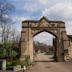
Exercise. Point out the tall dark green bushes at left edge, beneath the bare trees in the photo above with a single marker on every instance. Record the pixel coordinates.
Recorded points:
(6, 50)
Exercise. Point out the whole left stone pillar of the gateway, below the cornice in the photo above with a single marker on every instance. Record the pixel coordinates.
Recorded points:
(26, 44)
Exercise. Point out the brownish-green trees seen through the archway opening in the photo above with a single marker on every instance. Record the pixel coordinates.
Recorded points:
(43, 48)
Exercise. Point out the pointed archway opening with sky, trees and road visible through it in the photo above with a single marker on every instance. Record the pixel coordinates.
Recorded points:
(44, 47)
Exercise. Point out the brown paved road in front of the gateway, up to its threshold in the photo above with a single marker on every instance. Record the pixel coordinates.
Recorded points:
(51, 67)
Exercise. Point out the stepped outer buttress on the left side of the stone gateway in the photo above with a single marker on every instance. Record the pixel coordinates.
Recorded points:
(24, 43)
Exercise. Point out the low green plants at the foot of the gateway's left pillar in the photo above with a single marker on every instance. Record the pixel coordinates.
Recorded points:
(26, 62)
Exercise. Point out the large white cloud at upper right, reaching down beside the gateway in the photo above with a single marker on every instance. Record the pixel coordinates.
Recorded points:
(60, 11)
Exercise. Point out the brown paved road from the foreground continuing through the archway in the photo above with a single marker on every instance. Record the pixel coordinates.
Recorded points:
(45, 66)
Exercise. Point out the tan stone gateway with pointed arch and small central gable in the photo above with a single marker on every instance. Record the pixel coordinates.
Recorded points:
(30, 28)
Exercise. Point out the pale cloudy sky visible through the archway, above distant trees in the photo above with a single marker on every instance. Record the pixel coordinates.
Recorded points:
(44, 37)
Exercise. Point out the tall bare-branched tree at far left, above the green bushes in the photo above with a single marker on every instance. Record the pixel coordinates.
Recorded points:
(5, 21)
